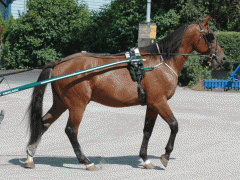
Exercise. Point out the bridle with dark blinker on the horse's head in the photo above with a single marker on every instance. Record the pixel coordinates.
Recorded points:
(209, 38)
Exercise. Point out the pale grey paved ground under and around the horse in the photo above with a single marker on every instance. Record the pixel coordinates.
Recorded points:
(207, 144)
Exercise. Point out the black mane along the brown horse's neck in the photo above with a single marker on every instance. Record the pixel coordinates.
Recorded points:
(169, 45)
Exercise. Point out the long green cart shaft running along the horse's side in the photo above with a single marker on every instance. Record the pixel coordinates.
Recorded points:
(27, 86)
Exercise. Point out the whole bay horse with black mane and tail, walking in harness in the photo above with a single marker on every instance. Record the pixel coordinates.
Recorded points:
(114, 87)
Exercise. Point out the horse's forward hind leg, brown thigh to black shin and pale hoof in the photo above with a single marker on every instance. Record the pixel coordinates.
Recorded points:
(75, 117)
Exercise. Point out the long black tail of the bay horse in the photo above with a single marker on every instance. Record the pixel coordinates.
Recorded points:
(35, 111)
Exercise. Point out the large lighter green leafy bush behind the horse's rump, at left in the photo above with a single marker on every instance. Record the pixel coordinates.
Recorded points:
(49, 30)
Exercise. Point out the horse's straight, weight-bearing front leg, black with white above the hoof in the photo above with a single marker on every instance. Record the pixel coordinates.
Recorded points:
(151, 116)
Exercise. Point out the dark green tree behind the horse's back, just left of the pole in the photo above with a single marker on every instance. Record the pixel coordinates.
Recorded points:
(115, 28)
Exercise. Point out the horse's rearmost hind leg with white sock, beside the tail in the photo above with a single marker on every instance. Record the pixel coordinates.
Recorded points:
(52, 115)
